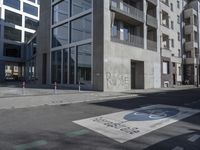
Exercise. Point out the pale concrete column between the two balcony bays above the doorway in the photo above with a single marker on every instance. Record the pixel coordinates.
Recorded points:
(145, 20)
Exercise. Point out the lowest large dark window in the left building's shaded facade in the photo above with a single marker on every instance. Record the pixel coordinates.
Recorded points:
(11, 50)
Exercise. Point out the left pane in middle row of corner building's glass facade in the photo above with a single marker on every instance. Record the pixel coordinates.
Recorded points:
(60, 35)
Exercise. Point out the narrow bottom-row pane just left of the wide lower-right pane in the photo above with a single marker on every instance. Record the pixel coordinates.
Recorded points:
(72, 65)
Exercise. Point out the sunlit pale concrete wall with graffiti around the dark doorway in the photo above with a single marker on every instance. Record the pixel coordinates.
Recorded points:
(117, 61)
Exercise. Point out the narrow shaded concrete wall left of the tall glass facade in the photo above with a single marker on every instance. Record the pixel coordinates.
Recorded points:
(43, 40)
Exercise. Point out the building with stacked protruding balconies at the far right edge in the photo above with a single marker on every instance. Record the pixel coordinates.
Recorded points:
(192, 41)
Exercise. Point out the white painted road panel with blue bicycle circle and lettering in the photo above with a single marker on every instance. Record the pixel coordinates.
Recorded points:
(127, 125)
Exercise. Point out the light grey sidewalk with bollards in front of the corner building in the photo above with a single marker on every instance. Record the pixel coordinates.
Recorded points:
(40, 97)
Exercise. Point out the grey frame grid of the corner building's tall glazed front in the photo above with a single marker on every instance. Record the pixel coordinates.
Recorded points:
(71, 46)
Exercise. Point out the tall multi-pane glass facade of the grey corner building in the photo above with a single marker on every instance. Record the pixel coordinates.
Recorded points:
(71, 42)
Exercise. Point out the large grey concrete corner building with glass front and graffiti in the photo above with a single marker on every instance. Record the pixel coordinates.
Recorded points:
(107, 45)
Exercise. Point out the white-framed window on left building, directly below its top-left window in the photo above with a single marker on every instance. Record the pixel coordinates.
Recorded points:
(13, 18)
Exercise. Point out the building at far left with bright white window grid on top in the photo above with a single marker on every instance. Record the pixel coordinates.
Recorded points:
(19, 21)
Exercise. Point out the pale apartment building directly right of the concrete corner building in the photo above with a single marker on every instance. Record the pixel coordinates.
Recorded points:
(171, 41)
